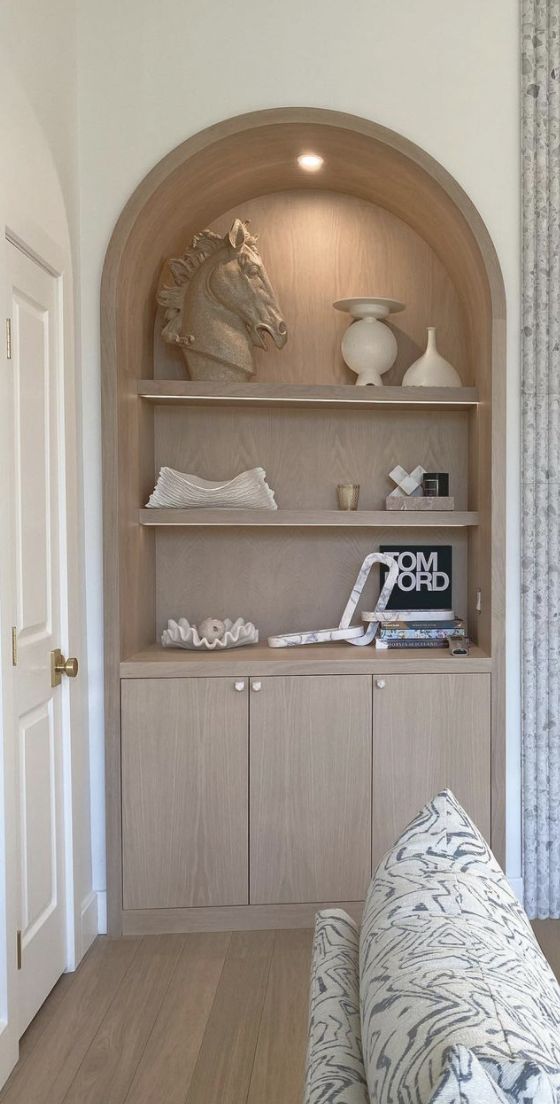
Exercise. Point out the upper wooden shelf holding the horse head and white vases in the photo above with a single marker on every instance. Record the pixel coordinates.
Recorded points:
(185, 392)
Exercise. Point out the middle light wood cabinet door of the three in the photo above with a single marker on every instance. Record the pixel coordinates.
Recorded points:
(311, 791)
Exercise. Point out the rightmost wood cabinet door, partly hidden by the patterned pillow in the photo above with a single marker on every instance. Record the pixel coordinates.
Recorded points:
(430, 733)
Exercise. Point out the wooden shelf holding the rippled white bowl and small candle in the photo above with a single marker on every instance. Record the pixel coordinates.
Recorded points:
(305, 519)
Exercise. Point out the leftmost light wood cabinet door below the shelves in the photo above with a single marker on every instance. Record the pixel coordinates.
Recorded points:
(185, 793)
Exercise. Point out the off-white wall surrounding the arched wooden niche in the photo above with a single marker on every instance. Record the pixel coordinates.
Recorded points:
(445, 75)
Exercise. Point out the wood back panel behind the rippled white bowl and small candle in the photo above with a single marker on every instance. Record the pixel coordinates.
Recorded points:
(308, 453)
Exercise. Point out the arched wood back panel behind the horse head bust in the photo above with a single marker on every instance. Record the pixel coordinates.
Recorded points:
(322, 247)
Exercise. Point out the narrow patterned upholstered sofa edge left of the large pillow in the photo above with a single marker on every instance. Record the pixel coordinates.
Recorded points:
(335, 1068)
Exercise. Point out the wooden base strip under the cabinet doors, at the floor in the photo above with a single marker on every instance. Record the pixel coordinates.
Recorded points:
(242, 918)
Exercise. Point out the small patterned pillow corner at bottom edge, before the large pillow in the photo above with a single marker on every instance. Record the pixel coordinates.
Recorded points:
(469, 1081)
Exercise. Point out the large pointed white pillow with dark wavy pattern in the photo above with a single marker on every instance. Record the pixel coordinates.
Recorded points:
(449, 960)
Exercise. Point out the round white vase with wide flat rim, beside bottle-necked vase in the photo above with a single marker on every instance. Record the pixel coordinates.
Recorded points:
(369, 347)
